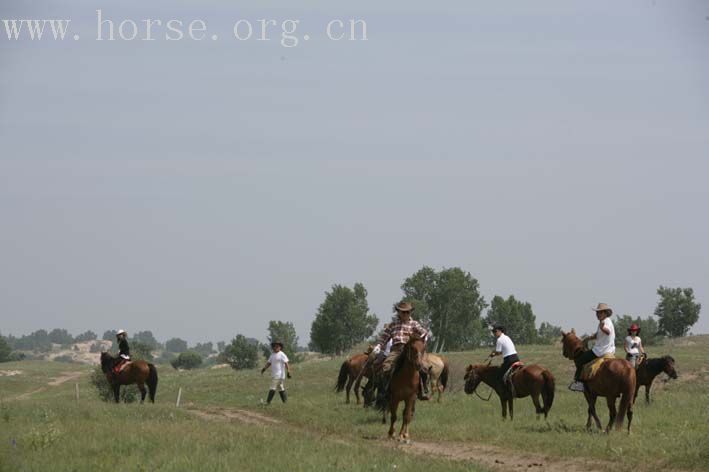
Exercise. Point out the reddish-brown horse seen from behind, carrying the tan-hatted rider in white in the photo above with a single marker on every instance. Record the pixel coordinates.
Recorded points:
(614, 378)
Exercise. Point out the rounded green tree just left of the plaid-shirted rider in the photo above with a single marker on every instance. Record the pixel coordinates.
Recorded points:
(342, 320)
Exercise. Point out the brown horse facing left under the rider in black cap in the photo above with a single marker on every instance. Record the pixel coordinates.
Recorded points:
(532, 380)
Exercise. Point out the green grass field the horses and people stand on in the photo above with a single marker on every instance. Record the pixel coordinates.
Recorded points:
(316, 430)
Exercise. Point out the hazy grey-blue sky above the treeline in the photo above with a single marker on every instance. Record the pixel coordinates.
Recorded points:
(556, 150)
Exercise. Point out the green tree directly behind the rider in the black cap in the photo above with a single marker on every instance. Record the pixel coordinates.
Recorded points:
(516, 316)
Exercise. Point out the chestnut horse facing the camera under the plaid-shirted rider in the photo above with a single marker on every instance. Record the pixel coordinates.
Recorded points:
(404, 386)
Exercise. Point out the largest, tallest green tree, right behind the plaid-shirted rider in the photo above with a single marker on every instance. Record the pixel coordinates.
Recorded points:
(451, 306)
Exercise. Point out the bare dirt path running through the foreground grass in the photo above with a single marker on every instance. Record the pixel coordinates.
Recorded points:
(489, 456)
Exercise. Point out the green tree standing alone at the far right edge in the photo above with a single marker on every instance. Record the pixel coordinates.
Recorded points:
(676, 310)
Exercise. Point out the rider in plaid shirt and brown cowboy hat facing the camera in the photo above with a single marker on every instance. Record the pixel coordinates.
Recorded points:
(398, 332)
